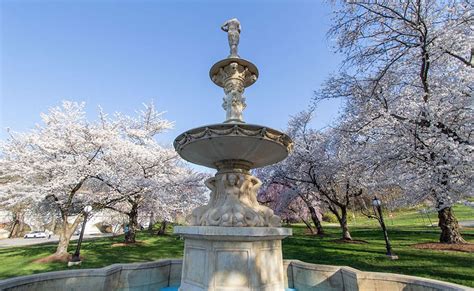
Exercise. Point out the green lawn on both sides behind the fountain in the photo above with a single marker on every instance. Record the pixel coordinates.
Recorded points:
(405, 229)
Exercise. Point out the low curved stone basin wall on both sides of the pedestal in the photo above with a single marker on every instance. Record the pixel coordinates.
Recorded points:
(164, 273)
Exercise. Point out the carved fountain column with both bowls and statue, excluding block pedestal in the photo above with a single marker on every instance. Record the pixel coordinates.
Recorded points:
(233, 197)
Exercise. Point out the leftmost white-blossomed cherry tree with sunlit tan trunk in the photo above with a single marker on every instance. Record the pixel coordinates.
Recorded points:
(53, 162)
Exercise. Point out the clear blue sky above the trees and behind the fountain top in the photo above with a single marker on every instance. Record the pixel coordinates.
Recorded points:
(120, 54)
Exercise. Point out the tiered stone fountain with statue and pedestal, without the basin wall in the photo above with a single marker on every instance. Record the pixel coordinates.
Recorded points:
(233, 242)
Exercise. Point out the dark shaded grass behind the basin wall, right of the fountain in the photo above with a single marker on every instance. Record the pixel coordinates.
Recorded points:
(448, 266)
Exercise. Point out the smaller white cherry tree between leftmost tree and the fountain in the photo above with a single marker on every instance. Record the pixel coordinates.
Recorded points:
(154, 181)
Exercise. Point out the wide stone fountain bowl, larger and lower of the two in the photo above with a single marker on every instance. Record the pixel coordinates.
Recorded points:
(255, 145)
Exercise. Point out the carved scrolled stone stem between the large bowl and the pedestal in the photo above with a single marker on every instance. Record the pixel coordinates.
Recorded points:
(233, 202)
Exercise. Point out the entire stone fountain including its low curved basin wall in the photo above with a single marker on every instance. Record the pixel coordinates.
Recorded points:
(232, 243)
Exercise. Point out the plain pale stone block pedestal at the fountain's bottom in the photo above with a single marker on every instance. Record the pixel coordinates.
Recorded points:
(232, 258)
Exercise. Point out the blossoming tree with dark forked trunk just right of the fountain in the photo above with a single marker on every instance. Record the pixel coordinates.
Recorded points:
(326, 162)
